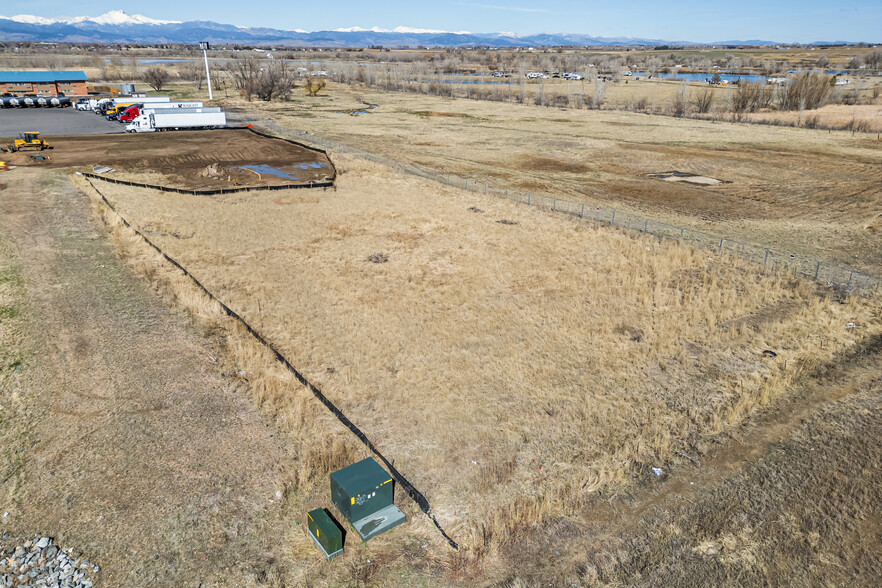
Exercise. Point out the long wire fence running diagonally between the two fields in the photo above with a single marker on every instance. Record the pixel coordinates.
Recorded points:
(772, 260)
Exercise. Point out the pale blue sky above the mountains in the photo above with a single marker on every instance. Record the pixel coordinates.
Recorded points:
(688, 20)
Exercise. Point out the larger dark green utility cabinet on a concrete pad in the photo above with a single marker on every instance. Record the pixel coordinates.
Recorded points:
(363, 493)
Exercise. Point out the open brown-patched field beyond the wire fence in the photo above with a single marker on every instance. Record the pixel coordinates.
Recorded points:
(816, 193)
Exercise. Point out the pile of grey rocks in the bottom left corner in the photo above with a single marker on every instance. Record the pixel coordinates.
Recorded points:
(37, 563)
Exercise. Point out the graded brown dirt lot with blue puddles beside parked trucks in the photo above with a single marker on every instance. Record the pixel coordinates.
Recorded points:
(189, 159)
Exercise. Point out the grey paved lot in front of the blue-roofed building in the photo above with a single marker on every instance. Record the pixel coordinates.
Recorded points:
(54, 121)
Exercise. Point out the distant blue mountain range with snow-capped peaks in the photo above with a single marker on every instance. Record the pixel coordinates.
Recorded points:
(118, 27)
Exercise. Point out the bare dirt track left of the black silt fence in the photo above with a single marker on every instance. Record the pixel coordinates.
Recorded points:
(121, 435)
